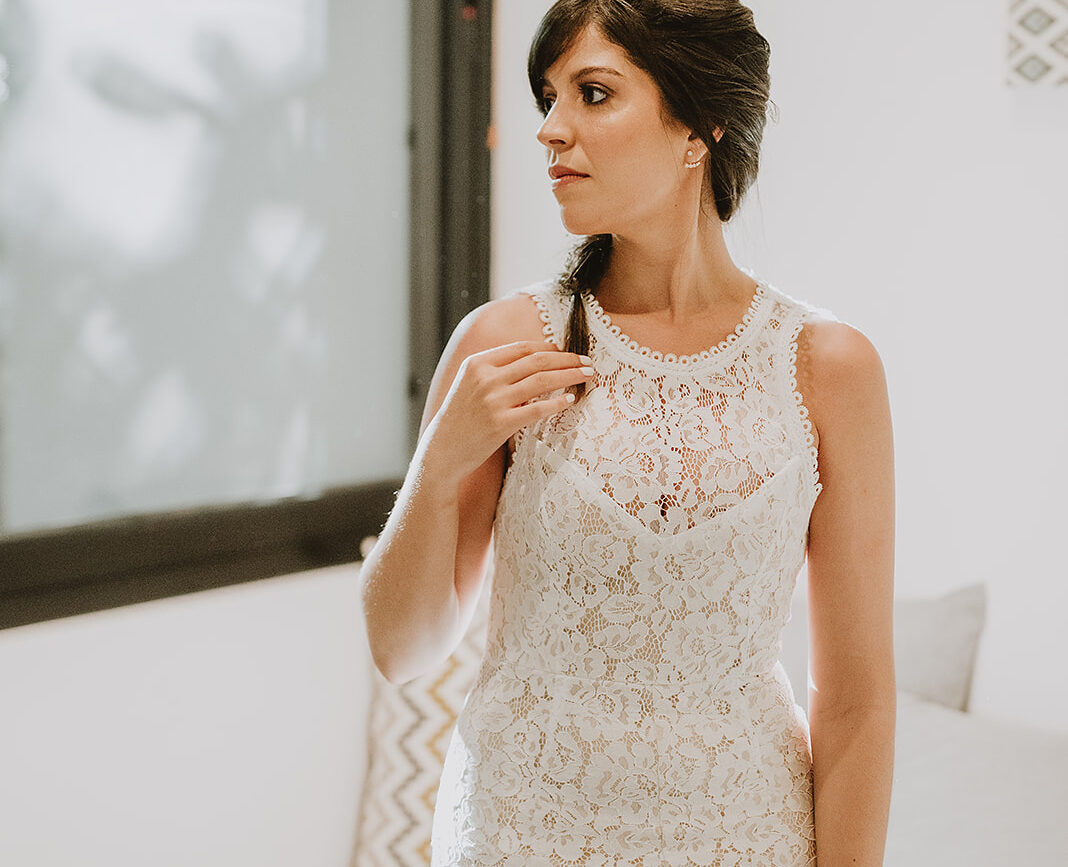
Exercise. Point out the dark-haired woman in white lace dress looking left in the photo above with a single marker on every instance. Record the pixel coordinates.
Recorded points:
(655, 443)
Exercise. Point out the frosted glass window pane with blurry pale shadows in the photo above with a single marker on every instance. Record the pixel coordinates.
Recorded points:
(203, 254)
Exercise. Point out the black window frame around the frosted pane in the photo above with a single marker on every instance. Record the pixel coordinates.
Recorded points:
(52, 574)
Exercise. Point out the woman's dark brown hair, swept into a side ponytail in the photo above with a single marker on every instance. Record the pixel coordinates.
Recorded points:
(711, 65)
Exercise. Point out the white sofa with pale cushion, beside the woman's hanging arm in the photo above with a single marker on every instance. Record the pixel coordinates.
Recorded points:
(968, 790)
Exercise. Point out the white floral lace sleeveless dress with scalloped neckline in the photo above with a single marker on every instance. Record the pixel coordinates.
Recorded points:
(631, 707)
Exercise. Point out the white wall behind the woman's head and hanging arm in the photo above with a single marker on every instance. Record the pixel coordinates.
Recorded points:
(908, 190)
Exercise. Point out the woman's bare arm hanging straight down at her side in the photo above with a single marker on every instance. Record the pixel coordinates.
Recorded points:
(853, 702)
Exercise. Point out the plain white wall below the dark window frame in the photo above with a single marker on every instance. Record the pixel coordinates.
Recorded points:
(223, 729)
